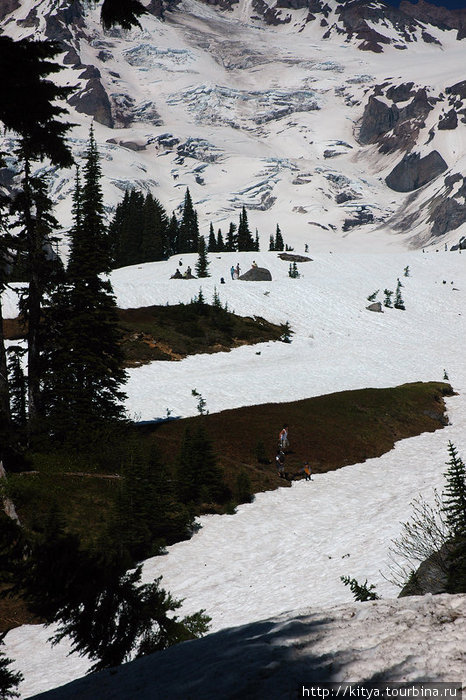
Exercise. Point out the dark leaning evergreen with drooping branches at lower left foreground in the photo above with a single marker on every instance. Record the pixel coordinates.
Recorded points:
(107, 614)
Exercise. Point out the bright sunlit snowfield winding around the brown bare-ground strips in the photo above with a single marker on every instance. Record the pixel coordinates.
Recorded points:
(290, 547)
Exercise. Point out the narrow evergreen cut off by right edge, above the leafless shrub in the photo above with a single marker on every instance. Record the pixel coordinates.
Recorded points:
(454, 496)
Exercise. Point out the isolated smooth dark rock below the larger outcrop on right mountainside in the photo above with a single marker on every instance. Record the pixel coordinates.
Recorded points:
(413, 171)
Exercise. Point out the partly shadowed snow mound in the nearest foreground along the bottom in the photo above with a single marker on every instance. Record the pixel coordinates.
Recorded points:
(409, 640)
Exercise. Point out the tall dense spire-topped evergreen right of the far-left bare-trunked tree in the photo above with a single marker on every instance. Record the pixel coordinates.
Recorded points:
(83, 357)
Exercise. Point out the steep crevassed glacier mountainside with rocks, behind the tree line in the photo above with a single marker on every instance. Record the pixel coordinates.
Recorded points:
(301, 127)
